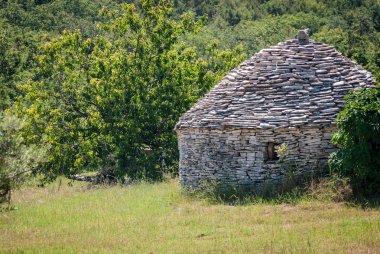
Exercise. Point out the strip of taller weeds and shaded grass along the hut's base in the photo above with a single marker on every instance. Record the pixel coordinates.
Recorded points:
(291, 191)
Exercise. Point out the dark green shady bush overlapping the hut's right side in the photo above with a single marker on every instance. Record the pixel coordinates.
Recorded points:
(358, 137)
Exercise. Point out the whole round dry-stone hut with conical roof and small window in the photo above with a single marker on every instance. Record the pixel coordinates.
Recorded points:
(287, 94)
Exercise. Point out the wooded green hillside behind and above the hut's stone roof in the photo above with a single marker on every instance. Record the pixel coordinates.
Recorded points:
(350, 25)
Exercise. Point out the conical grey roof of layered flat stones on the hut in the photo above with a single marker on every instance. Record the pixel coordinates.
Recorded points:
(294, 83)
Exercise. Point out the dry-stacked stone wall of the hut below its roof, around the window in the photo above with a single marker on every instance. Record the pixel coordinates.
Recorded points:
(239, 157)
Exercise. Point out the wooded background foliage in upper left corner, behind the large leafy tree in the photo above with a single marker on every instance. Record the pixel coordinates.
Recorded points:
(24, 26)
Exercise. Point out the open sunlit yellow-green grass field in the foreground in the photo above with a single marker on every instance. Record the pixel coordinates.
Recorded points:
(156, 218)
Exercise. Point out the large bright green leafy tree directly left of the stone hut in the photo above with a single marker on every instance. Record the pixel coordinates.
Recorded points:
(110, 103)
